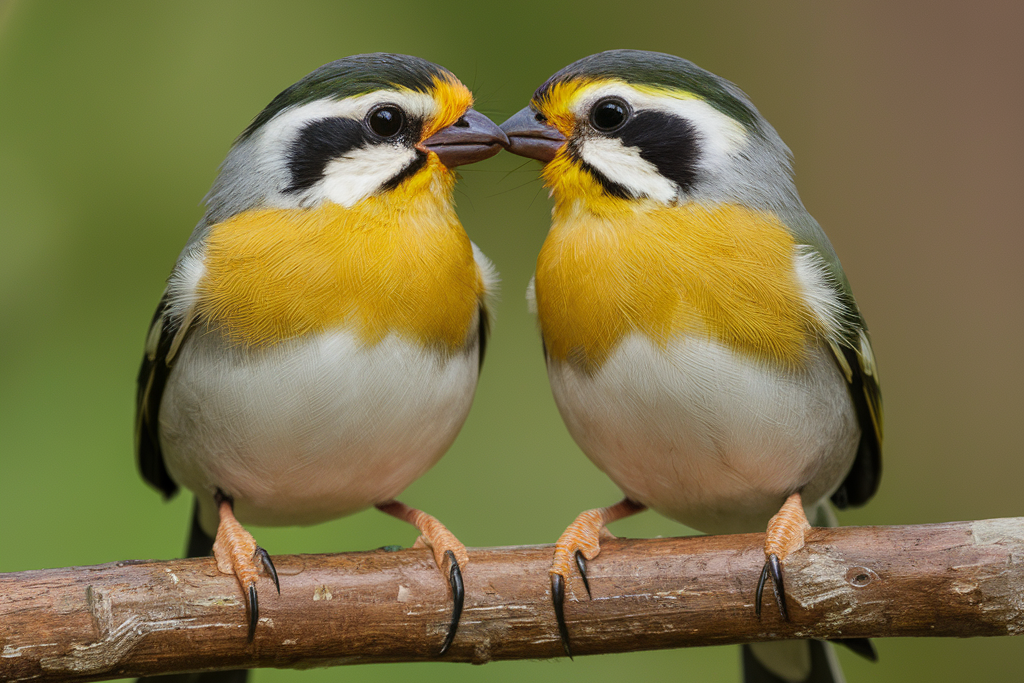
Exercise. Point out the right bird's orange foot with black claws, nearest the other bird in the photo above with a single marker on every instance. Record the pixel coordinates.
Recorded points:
(580, 543)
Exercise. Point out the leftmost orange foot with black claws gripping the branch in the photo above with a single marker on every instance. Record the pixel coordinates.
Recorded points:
(237, 553)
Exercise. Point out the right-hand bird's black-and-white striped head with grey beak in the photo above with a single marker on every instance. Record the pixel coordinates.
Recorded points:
(631, 125)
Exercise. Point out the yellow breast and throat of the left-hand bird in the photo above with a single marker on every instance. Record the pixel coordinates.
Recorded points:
(393, 264)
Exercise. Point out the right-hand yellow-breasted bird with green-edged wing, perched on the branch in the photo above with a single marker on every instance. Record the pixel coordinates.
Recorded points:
(703, 344)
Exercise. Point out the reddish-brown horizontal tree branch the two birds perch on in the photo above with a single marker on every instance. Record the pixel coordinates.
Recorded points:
(137, 618)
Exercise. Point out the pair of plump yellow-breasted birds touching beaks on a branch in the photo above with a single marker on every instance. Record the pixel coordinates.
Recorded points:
(321, 336)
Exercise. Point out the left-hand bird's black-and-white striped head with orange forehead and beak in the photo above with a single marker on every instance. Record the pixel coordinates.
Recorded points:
(361, 126)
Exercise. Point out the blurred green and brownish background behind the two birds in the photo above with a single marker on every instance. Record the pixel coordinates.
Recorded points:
(906, 123)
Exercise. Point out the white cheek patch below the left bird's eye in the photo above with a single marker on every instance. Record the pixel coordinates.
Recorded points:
(360, 174)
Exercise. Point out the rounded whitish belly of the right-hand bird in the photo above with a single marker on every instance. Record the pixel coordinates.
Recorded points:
(705, 436)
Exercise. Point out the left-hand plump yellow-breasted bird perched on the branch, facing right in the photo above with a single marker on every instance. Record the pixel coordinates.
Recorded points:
(319, 343)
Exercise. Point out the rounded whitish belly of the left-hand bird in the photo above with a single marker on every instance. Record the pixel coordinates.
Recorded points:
(311, 430)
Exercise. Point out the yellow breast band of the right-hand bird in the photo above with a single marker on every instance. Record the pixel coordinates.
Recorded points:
(664, 272)
